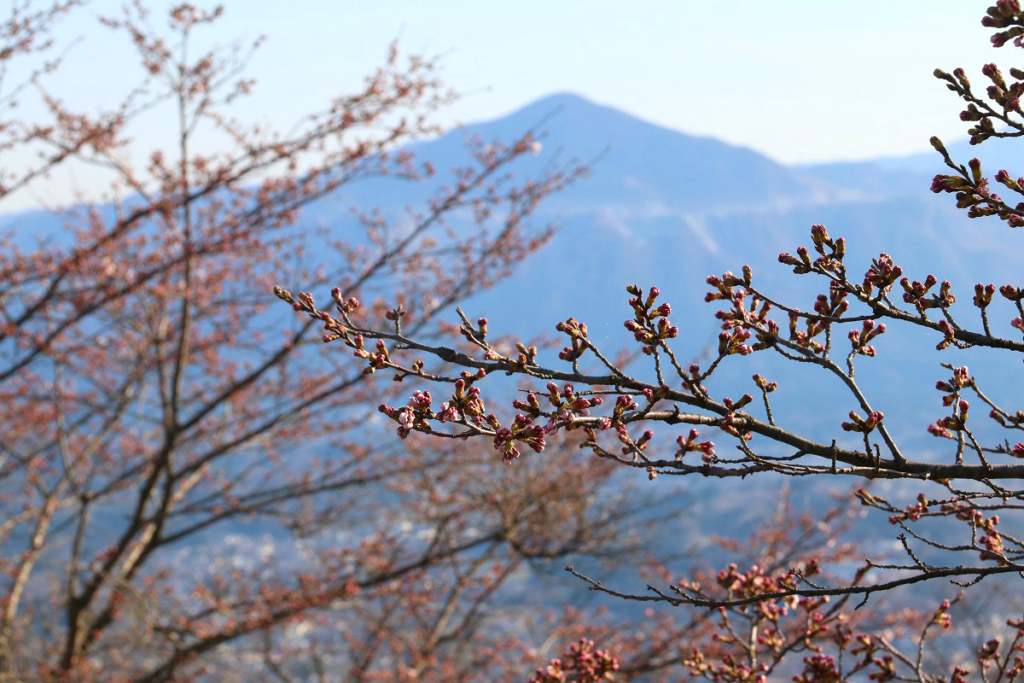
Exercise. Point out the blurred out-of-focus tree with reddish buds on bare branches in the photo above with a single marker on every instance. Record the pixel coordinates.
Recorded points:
(185, 494)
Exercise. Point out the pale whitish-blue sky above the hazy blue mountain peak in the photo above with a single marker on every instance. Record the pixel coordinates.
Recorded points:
(799, 80)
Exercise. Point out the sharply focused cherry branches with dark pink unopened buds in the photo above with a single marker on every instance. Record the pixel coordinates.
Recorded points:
(660, 416)
